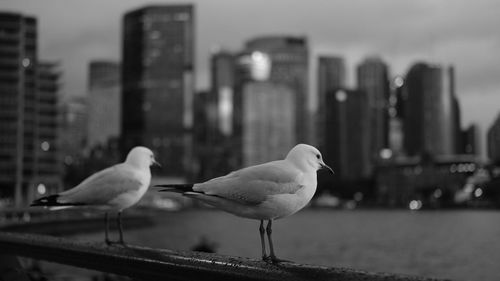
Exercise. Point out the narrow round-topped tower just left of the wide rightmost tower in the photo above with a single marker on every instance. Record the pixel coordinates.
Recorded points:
(372, 75)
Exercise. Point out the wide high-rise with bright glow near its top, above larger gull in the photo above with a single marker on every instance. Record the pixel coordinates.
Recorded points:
(267, 70)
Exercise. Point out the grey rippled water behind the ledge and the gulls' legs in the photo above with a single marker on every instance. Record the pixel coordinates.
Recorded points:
(459, 245)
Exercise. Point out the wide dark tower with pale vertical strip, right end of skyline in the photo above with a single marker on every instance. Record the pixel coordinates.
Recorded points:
(429, 118)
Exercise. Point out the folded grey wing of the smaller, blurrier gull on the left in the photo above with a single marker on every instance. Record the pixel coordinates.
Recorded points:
(103, 186)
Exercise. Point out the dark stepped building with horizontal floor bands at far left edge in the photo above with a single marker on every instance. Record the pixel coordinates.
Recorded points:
(29, 159)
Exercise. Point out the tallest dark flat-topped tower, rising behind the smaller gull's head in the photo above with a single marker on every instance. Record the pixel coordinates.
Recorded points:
(158, 83)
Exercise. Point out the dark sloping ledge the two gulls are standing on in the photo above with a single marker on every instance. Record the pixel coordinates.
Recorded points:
(152, 264)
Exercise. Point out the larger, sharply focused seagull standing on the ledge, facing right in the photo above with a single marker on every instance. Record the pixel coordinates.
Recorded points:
(268, 191)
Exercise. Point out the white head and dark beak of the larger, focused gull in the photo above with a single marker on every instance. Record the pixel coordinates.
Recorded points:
(307, 157)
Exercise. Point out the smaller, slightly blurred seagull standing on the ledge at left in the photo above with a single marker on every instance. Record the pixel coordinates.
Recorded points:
(113, 189)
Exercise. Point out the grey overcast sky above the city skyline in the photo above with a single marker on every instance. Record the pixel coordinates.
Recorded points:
(462, 33)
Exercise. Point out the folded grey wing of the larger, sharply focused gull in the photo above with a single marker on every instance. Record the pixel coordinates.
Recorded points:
(254, 184)
